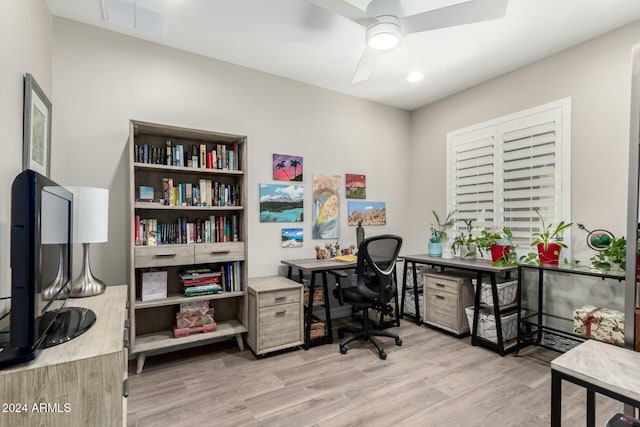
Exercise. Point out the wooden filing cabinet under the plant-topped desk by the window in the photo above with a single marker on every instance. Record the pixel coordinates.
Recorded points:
(445, 297)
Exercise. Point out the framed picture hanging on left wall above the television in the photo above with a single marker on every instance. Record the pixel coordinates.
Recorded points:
(36, 152)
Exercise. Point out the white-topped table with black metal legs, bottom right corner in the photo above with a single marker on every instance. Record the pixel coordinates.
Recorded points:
(600, 368)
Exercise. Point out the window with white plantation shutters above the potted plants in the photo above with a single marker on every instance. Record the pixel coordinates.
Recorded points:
(502, 171)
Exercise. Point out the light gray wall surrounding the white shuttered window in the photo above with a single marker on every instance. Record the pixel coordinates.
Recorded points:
(597, 77)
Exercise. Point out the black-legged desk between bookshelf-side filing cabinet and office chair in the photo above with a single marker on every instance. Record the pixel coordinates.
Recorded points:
(316, 266)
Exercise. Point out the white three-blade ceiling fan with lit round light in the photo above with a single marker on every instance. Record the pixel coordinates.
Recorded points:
(385, 24)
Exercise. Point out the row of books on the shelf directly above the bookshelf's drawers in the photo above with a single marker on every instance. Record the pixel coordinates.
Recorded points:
(215, 229)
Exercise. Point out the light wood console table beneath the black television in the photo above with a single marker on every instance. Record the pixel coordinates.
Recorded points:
(78, 383)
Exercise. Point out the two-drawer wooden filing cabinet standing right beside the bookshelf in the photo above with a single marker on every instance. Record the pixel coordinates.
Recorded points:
(275, 314)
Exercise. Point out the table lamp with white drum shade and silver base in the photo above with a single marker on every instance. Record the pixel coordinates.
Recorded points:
(90, 225)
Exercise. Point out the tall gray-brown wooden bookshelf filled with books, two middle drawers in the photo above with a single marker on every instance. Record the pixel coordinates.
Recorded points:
(196, 217)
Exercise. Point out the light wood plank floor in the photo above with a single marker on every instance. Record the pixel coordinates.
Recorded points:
(433, 379)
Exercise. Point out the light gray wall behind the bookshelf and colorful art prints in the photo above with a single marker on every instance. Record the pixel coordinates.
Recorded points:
(104, 79)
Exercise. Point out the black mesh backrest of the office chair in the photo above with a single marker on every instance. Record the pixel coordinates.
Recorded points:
(377, 257)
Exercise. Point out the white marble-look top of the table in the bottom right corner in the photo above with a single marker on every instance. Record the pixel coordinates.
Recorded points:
(605, 365)
